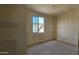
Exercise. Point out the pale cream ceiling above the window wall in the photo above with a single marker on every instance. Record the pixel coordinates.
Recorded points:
(50, 9)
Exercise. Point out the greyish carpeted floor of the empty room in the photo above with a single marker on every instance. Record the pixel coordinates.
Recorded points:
(53, 48)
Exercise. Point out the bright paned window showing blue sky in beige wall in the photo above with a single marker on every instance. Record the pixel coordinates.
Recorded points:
(38, 24)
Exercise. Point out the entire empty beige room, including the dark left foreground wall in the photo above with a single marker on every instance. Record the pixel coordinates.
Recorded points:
(39, 29)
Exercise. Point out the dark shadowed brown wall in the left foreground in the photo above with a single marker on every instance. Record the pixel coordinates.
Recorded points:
(12, 29)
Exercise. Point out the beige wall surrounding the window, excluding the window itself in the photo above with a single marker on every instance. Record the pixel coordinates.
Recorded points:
(33, 38)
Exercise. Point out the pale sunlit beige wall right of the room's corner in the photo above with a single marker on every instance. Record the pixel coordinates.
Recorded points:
(68, 26)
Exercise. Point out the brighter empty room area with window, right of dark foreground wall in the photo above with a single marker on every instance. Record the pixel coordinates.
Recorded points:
(52, 29)
